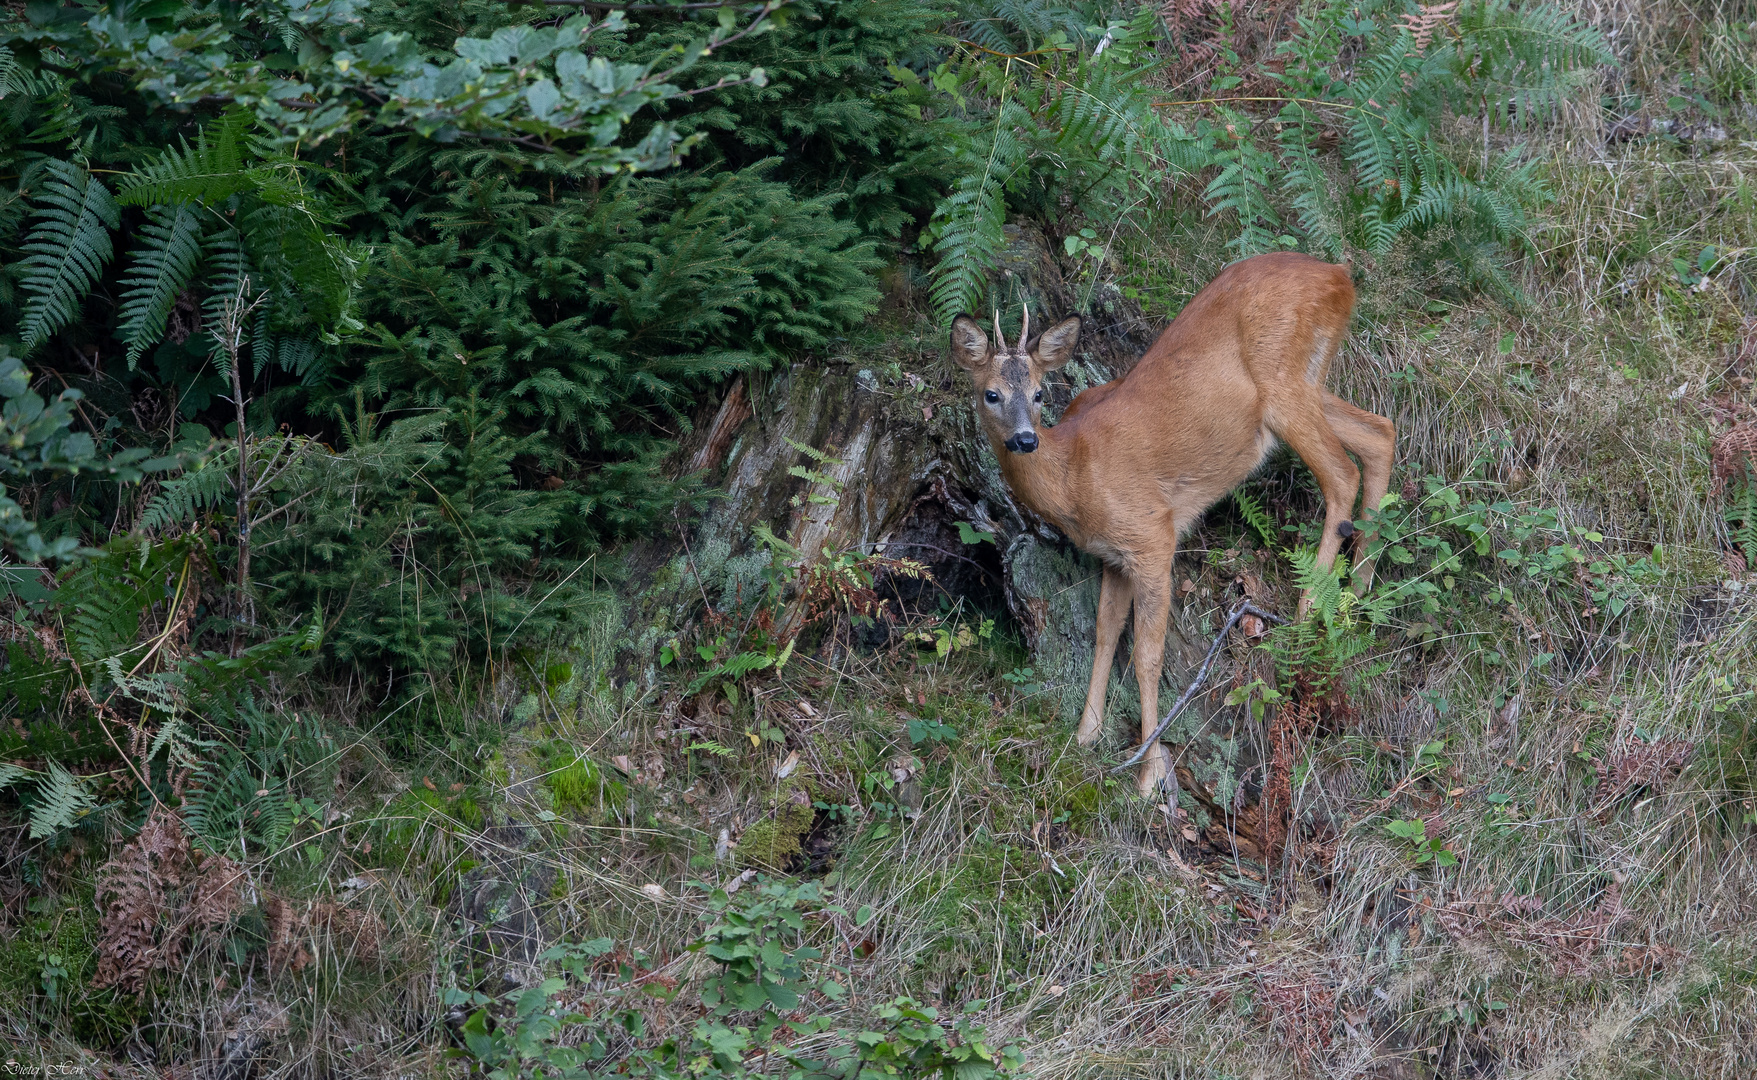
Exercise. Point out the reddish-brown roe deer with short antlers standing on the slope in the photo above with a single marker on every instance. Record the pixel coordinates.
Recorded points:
(1134, 463)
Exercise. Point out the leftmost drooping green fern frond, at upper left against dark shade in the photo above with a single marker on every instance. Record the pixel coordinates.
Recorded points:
(68, 247)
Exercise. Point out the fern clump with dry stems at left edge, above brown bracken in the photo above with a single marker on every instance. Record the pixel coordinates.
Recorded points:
(131, 675)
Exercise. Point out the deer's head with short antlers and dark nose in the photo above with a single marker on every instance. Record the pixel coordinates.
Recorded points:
(1009, 380)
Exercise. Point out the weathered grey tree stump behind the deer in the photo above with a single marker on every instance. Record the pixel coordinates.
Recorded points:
(907, 466)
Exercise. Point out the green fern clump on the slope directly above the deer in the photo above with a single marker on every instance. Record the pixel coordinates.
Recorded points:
(1347, 154)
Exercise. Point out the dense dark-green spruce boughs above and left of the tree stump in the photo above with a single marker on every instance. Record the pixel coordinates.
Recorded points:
(597, 319)
